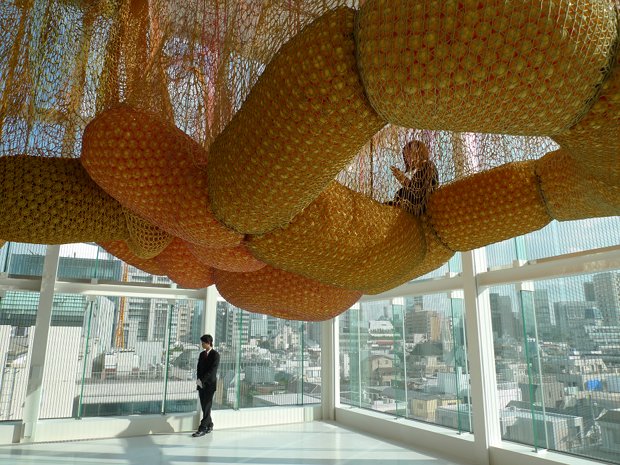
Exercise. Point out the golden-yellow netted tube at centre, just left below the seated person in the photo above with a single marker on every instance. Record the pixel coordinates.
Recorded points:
(345, 239)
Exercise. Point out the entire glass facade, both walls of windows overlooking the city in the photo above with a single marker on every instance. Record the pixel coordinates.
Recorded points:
(555, 344)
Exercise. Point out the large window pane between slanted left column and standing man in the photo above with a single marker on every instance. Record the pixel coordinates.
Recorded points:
(93, 368)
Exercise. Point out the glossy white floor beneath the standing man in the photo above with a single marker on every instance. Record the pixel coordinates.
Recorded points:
(315, 443)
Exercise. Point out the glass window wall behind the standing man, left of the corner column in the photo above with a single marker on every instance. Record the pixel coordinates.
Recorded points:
(127, 355)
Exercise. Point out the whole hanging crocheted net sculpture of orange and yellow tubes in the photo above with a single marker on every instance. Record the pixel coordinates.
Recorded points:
(300, 153)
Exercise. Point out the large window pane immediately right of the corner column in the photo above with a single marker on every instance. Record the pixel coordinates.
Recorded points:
(407, 357)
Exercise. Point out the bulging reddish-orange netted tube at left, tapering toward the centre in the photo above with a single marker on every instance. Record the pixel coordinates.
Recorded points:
(149, 166)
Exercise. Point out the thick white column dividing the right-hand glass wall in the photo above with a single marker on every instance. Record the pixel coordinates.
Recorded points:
(481, 357)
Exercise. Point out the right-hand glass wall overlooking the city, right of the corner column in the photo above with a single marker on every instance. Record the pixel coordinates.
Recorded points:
(556, 346)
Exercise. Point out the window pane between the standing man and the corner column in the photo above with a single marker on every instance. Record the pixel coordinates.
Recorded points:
(265, 361)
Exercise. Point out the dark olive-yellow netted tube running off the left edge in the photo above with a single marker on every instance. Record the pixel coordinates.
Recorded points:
(42, 199)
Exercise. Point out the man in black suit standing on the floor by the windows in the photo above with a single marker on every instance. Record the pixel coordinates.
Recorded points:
(206, 382)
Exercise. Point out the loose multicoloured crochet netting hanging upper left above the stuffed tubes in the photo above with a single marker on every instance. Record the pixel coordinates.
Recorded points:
(193, 62)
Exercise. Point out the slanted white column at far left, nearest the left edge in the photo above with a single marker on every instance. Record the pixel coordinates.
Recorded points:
(35, 386)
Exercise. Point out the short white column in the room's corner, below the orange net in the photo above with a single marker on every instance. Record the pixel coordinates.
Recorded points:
(330, 368)
